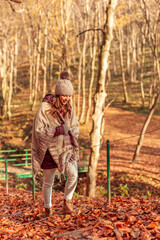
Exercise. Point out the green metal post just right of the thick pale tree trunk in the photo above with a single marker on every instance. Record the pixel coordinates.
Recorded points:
(108, 173)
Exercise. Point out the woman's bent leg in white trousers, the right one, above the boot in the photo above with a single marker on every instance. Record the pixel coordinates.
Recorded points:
(72, 177)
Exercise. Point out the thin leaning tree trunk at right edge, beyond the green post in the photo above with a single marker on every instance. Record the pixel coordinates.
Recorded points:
(143, 131)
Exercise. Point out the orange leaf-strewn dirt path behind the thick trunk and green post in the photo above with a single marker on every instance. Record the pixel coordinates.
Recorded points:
(122, 129)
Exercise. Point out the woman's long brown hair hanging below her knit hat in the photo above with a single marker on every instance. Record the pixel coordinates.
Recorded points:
(56, 105)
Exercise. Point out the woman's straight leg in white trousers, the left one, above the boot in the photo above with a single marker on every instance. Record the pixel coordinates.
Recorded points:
(48, 180)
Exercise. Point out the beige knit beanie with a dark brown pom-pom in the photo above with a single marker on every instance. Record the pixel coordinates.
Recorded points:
(64, 85)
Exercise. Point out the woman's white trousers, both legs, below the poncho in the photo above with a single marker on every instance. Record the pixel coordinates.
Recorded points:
(48, 181)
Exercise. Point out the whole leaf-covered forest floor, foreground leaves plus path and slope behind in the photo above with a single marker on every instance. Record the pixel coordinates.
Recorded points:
(134, 212)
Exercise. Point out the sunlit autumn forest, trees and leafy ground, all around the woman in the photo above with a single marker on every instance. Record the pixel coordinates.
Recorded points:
(111, 50)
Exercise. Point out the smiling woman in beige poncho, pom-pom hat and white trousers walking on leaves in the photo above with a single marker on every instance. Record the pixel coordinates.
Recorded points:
(54, 142)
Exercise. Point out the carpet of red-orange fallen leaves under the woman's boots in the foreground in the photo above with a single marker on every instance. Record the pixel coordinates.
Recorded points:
(125, 218)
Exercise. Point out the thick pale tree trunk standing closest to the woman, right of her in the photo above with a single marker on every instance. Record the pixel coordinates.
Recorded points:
(99, 99)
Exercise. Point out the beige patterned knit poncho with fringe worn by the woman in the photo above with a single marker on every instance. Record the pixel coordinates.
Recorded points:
(60, 147)
